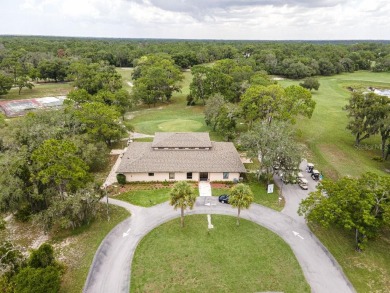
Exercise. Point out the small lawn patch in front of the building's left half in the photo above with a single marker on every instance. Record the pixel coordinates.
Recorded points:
(145, 198)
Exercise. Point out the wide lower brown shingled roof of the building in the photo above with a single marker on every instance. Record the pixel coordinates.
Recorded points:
(141, 158)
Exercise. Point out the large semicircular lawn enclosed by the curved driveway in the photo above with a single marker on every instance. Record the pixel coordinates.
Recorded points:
(248, 258)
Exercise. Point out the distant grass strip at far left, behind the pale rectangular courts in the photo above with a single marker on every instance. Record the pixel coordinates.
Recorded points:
(39, 90)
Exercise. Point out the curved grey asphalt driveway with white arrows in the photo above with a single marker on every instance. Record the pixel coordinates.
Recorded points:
(110, 271)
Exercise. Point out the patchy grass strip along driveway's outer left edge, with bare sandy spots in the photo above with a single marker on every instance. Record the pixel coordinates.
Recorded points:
(79, 246)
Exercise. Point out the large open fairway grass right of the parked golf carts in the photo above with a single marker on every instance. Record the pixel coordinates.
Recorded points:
(331, 145)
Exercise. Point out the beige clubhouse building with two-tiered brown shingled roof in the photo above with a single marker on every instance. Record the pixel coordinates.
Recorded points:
(175, 156)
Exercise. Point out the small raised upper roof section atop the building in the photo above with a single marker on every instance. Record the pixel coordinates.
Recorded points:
(181, 140)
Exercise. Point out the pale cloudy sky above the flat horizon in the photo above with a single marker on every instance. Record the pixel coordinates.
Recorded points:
(199, 19)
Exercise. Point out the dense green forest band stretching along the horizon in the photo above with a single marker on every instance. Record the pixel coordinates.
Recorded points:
(290, 59)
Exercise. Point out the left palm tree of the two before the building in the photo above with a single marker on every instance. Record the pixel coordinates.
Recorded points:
(182, 196)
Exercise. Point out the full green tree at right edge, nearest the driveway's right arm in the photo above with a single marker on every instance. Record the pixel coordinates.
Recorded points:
(361, 205)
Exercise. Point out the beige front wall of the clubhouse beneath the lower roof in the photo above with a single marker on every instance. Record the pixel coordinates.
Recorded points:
(132, 177)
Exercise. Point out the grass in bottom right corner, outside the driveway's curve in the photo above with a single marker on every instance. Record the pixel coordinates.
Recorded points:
(369, 271)
